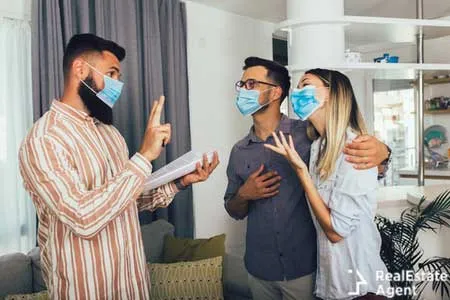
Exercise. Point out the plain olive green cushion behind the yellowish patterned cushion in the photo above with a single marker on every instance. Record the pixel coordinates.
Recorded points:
(183, 249)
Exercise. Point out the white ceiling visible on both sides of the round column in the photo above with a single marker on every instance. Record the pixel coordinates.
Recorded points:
(275, 10)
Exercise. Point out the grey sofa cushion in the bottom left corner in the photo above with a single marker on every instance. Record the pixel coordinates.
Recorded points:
(15, 274)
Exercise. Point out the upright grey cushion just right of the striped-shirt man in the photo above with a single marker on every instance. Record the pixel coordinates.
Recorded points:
(153, 238)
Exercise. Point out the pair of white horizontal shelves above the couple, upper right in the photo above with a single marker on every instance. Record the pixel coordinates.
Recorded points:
(368, 34)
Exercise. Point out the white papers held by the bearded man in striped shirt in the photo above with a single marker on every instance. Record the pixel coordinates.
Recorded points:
(183, 165)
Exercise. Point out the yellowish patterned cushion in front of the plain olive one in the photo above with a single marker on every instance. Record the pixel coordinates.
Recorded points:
(200, 279)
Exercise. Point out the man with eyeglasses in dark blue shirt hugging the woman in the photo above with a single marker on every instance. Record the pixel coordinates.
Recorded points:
(280, 254)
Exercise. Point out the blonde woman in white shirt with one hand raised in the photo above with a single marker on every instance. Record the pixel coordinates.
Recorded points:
(341, 199)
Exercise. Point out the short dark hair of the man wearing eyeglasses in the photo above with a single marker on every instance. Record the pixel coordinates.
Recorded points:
(275, 71)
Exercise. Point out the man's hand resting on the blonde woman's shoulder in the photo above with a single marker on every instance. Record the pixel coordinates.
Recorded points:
(366, 152)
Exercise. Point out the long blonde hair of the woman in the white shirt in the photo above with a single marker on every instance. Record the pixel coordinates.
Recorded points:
(341, 112)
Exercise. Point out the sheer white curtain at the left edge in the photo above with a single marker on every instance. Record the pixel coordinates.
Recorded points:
(17, 214)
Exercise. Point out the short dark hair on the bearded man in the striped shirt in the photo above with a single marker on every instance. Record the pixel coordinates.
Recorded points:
(86, 43)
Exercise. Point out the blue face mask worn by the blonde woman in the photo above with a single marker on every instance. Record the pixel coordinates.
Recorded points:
(304, 102)
